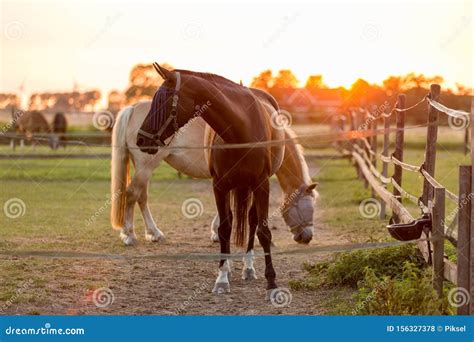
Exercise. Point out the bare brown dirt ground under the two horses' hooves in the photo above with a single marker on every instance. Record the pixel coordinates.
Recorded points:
(167, 287)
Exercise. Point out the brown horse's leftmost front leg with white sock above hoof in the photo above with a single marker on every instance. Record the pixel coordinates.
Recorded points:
(225, 228)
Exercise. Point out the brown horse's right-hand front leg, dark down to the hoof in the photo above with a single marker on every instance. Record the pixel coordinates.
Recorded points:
(261, 197)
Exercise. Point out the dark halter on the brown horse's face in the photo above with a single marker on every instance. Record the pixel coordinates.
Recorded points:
(161, 96)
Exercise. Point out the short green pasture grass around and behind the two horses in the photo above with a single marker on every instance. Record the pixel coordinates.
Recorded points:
(61, 195)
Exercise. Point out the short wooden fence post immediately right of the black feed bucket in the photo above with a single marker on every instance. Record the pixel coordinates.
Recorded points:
(438, 239)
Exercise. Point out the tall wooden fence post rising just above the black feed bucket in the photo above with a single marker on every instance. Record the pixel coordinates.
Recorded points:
(430, 150)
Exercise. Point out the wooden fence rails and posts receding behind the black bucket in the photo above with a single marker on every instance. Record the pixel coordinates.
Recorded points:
(432, 200)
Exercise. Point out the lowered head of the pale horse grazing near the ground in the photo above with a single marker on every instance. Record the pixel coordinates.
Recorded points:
(298, 212)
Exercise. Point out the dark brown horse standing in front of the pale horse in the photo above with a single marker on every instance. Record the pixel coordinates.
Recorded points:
(237, 116)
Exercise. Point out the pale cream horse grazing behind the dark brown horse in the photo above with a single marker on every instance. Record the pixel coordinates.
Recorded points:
(297, 208)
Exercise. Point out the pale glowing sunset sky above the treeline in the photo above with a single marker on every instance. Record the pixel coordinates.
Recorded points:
(52, 45)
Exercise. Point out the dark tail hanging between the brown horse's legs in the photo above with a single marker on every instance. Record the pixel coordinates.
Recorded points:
(242, 199)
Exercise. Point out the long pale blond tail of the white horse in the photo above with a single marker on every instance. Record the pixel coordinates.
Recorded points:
(120, 171)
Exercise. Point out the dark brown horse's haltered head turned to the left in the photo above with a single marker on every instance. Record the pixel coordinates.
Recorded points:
(171, 109)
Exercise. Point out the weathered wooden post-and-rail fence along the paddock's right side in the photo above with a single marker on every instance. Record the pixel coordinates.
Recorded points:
(431, 202)
